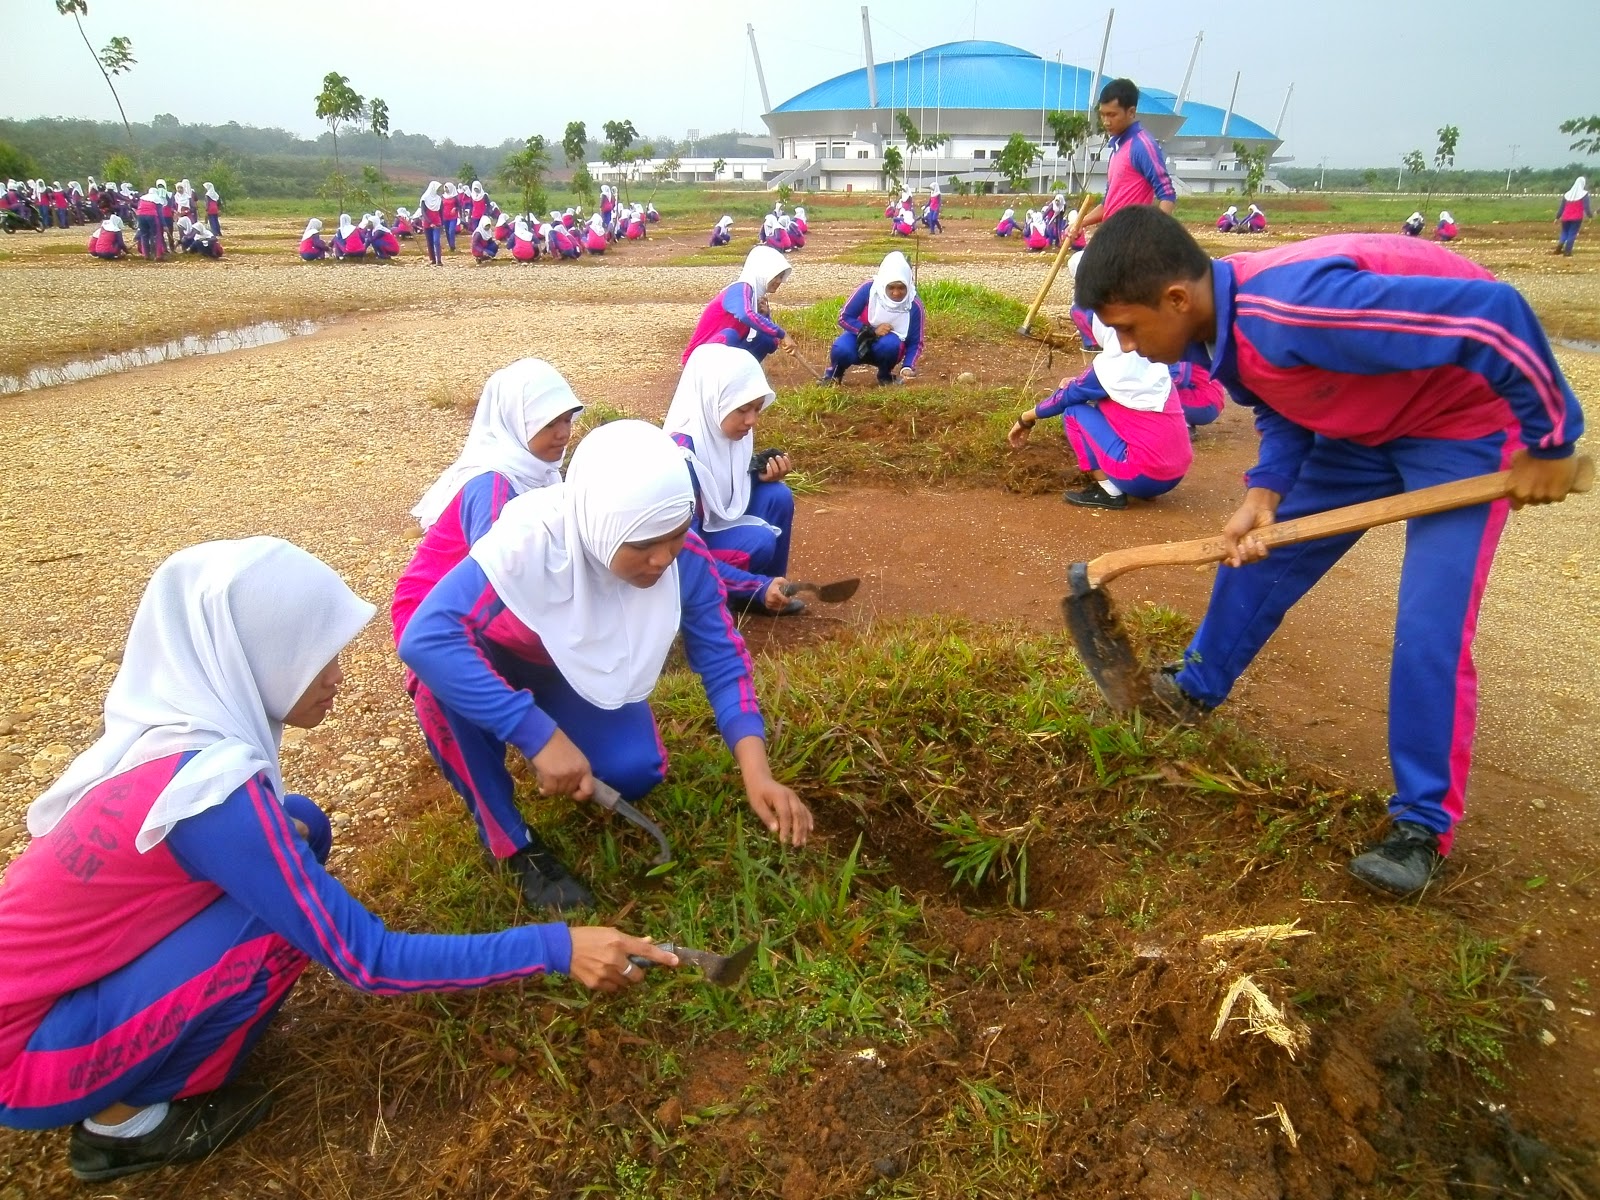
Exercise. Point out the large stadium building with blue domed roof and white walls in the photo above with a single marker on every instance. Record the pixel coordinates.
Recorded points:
(978, 94)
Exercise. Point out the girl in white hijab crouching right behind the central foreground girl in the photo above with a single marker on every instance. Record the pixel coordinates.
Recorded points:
(746, 519)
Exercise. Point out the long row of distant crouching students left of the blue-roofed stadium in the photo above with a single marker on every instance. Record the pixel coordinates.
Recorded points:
(447, 212)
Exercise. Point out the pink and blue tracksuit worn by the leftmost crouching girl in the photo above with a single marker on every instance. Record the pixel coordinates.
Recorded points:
(142, 978)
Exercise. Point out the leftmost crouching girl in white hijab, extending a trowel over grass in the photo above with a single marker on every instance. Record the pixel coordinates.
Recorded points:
(174, 890)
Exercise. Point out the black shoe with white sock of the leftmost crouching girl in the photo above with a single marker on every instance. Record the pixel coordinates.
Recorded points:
(193, 1130)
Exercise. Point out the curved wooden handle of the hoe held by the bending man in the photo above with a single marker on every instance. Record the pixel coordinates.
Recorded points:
(1422, 503)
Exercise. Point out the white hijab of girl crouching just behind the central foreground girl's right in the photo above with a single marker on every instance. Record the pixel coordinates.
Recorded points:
(716, 382)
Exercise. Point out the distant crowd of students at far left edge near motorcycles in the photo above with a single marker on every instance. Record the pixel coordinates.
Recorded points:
(164, 222)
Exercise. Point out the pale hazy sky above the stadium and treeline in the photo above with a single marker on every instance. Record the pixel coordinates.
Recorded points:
(1372, 81)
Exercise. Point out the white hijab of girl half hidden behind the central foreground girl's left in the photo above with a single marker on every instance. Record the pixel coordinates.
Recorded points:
(516, 404)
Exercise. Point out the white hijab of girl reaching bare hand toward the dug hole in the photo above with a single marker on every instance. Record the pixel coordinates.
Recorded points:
(550, 559)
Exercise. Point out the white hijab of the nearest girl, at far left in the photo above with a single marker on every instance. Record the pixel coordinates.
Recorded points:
(225, 642)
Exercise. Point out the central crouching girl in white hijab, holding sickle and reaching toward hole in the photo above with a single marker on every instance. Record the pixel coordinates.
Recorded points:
(553, 633)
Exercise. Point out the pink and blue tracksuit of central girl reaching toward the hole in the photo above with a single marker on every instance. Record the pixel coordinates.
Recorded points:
(487, 682)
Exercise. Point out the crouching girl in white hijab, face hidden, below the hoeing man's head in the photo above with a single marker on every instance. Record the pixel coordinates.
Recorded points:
(1126, 426)
